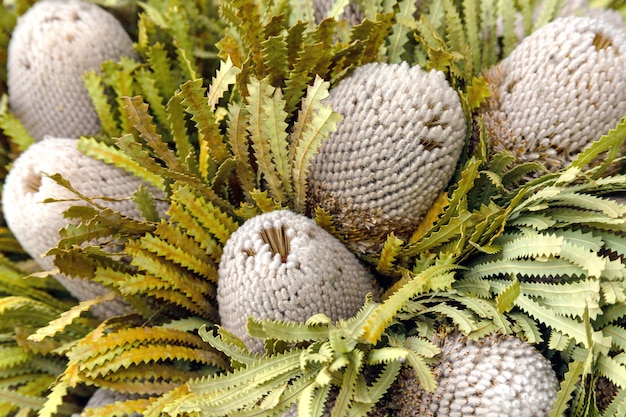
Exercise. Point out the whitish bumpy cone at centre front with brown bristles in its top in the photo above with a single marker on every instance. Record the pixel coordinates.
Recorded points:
(283, 266)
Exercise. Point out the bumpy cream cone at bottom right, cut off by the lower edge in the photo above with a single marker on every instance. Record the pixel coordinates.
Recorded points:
(494, 377)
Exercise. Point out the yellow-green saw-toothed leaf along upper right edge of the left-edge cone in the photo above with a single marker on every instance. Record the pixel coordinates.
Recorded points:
(120, 159)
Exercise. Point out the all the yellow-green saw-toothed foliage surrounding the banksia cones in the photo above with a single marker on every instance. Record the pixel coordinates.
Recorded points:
(223, 111)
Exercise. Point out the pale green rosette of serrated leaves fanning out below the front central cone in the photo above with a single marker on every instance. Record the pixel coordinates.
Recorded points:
(334, 356)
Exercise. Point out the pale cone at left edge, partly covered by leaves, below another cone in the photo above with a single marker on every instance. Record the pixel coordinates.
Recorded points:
(36, 225)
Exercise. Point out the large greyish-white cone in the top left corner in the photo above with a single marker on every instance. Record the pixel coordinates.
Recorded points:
(52, 46)
